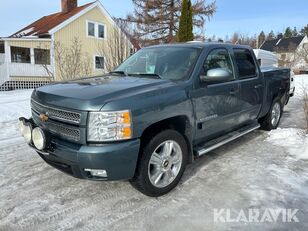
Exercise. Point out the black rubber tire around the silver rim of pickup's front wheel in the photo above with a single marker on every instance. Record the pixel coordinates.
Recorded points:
(141, 180)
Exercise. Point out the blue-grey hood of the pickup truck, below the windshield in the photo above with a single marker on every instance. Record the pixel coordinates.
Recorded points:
(92, 93)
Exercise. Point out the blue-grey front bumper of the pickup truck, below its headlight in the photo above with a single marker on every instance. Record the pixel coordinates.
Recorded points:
(119, 159)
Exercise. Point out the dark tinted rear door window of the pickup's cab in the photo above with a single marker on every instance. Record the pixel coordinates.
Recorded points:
(245, 63)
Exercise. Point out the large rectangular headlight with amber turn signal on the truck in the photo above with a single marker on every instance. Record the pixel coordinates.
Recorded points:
(109, 126)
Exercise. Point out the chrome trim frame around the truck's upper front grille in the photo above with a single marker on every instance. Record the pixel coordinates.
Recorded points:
(59, 110)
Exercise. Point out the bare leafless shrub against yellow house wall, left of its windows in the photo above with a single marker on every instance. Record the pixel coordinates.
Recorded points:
(70, 62)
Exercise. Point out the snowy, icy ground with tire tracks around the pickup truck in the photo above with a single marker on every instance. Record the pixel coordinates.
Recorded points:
(261, 170)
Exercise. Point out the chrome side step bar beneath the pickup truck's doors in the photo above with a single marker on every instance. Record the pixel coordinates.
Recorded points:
(213, 144)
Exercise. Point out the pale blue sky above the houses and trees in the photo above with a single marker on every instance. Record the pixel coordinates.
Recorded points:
(247, 17)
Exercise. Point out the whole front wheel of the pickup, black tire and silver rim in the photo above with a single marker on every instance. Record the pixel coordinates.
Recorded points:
(161, 167)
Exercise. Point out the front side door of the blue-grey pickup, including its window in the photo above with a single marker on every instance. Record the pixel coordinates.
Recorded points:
(217, 105)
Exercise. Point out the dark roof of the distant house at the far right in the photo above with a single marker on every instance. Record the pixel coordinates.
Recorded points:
(283, 44)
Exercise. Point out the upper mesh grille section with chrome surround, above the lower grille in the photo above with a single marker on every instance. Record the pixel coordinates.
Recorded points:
(55, 113)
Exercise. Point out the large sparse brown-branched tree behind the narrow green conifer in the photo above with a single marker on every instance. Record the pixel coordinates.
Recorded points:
(157, 21)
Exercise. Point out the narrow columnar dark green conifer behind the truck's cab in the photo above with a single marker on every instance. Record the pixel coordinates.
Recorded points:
(186, 28)
